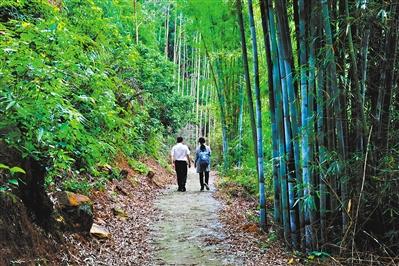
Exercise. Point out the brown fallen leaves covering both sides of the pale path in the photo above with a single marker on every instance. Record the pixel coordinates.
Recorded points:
(239, 241)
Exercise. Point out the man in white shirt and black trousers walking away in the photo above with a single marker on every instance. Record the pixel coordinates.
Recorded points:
(181, 158)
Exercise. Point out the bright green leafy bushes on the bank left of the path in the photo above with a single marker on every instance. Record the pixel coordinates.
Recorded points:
(75, 90)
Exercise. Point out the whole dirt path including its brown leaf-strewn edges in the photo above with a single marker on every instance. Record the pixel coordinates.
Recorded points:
(166, 227)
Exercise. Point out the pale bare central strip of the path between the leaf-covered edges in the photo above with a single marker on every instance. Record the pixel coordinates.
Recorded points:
(188, 231)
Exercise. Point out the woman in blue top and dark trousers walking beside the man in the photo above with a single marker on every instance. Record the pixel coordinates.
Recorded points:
(202, 163)
